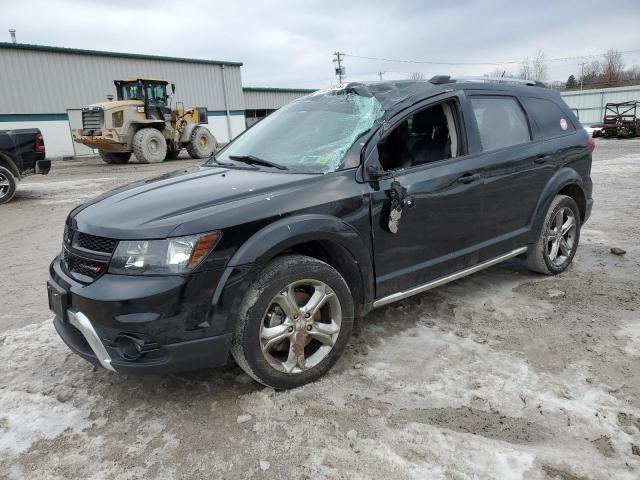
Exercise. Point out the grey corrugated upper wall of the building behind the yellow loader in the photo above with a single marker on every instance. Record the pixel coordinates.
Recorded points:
(37, 82)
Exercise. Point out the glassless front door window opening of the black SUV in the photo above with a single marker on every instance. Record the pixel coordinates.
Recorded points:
(429, 135)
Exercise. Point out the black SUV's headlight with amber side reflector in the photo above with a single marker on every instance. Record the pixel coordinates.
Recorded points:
(162, 257)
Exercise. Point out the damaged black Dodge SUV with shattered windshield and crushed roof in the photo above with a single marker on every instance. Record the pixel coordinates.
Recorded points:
(343, 201)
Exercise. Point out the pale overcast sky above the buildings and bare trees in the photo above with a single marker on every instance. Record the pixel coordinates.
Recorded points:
(290, 43)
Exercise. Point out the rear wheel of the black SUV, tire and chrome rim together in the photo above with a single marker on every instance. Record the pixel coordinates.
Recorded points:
(554, 250)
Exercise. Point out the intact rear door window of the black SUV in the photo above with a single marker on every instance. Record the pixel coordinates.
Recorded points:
(501, 122)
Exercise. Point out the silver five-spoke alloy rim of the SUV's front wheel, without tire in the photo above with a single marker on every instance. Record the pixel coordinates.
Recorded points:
(301, 326)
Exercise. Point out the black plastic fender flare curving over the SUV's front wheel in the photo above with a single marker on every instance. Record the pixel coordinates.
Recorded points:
(267, 242)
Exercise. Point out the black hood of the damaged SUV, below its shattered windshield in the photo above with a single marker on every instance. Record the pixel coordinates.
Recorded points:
(189, 201)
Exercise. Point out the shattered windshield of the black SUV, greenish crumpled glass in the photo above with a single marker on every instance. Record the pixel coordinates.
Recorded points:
(312, 134)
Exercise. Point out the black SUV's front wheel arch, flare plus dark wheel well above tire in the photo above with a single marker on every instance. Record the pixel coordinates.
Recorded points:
(323, 237)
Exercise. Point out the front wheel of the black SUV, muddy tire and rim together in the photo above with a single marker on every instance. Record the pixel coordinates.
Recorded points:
(265, 308)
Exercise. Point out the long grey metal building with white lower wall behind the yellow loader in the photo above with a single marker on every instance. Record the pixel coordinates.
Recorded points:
(45, 87)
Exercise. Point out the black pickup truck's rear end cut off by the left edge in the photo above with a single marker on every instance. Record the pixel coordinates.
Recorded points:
(22, 153)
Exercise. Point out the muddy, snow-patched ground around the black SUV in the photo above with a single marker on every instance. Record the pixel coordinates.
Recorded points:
(504, 374)
